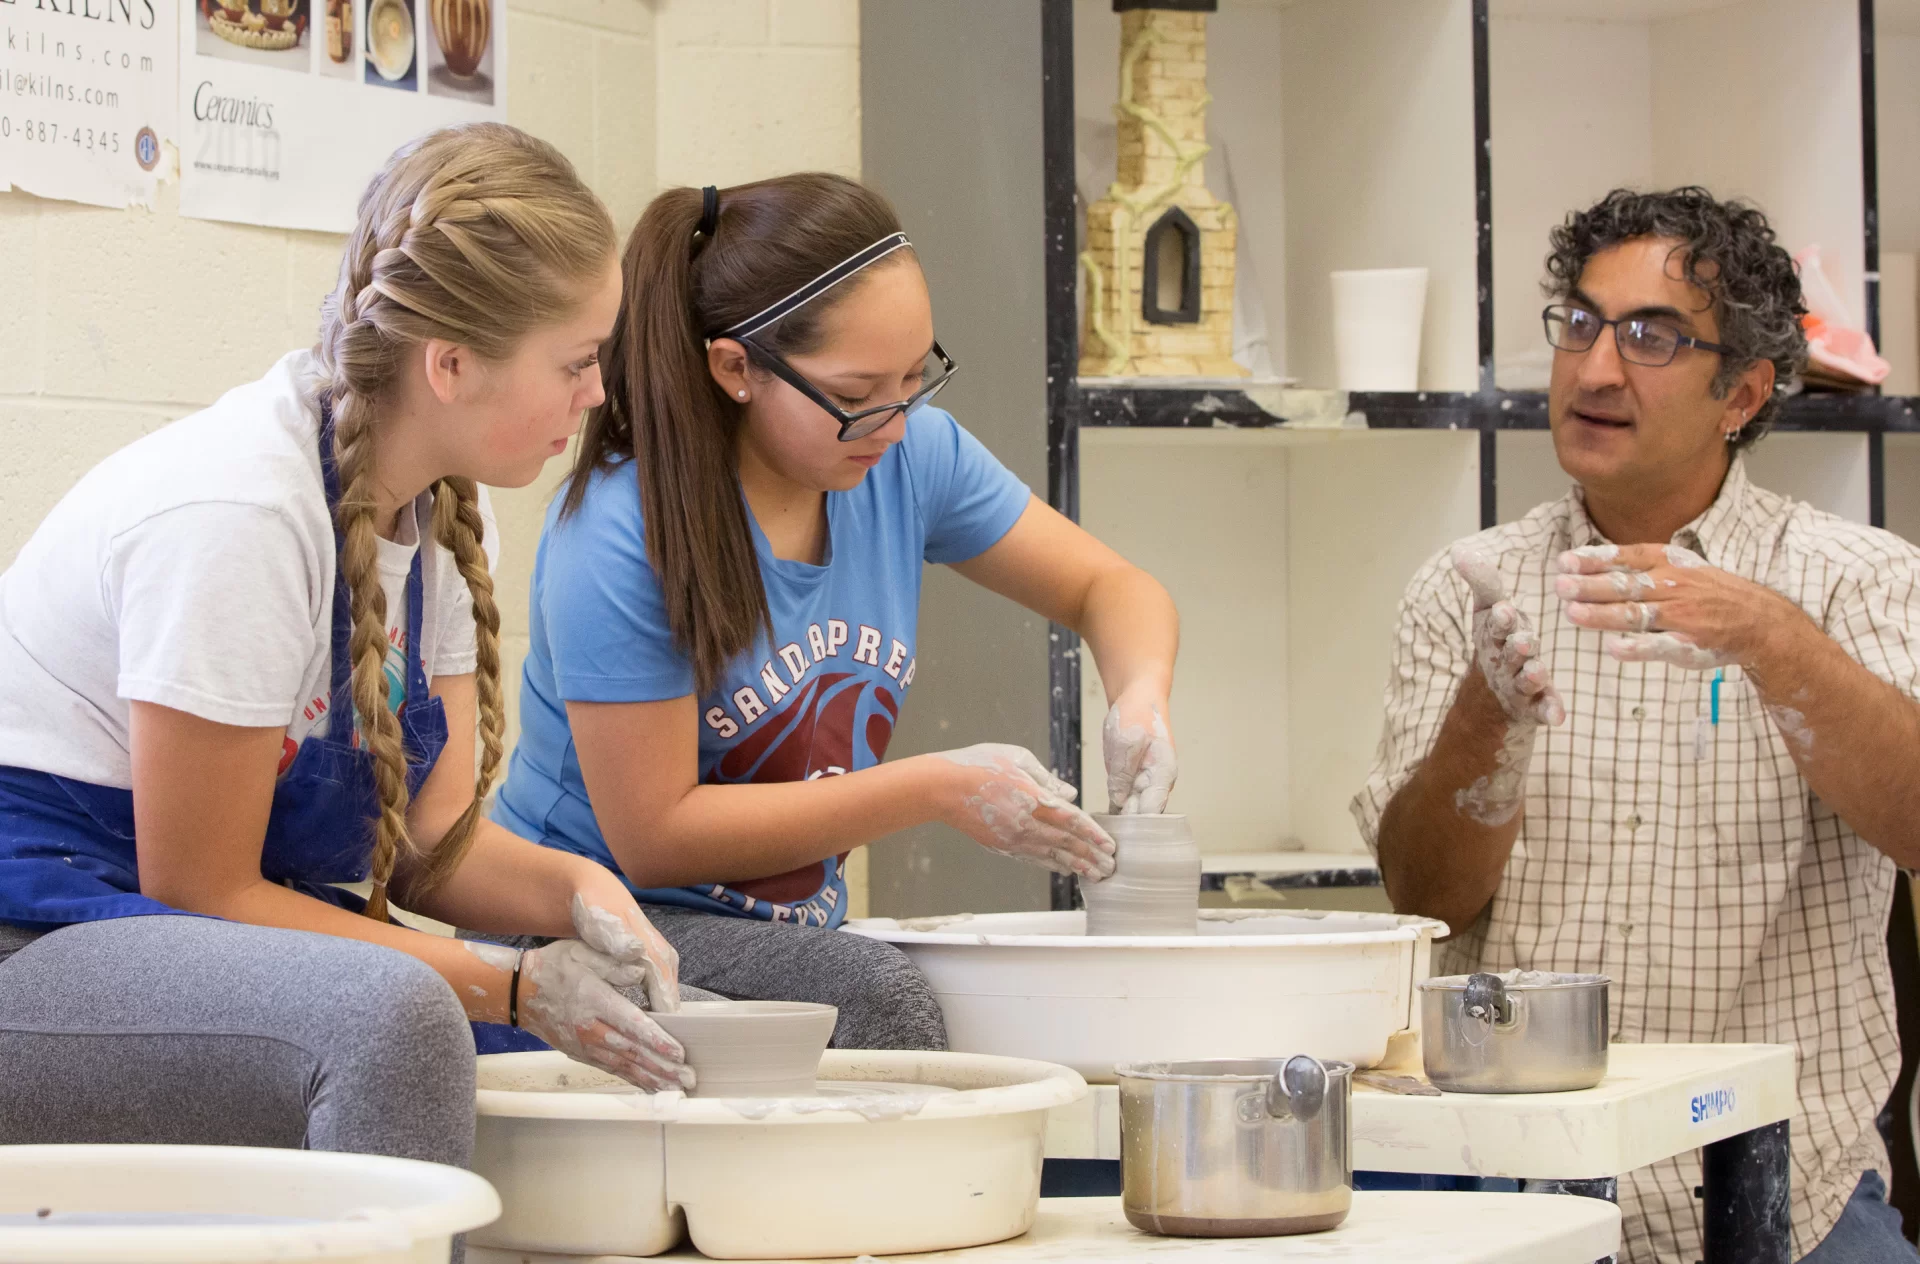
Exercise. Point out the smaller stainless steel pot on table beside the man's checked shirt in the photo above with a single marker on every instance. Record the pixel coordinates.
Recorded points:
(1522, 1033)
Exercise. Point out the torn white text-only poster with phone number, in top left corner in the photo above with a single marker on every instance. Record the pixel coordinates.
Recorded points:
(87, 99)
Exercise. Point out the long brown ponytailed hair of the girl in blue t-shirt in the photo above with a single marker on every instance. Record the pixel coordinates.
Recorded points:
(667, 414)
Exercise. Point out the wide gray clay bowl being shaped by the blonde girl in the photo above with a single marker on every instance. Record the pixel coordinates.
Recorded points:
(752, 1048)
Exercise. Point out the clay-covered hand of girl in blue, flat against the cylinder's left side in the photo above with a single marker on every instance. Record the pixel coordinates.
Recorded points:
(1007, 800)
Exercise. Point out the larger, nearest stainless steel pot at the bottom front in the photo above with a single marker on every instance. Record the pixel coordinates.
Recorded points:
(1236, 1148)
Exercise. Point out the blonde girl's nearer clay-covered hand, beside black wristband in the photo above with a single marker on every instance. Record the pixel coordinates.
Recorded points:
(571, 998)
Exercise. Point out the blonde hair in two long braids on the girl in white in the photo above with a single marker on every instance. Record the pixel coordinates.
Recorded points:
(475, 235)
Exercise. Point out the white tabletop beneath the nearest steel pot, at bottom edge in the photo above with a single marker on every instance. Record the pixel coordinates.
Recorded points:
(1433, 1228)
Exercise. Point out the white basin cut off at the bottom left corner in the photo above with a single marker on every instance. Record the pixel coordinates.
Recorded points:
(231, 1205)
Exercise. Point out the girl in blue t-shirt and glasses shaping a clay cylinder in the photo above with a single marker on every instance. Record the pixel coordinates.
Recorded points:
(727, 604)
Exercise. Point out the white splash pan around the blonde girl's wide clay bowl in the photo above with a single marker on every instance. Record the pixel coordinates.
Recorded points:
(942, 1148)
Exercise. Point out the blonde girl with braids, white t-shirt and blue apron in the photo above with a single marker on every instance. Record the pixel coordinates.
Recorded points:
(256, 656)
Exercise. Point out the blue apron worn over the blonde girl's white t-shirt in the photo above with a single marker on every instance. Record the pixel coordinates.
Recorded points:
(68, 848)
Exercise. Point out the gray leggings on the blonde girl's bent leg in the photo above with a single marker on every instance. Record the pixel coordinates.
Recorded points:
(197, 1033)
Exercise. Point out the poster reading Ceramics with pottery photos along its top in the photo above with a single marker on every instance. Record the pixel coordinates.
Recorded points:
(289, 107)
